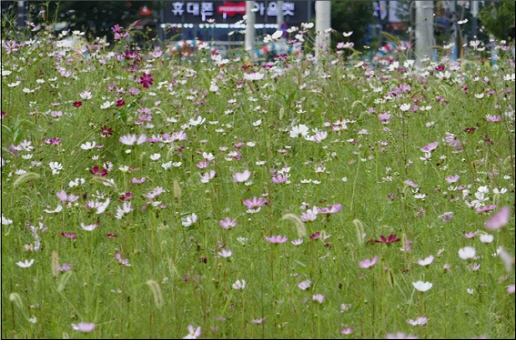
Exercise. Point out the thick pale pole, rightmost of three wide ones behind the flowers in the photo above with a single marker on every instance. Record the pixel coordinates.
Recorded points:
(424, 30)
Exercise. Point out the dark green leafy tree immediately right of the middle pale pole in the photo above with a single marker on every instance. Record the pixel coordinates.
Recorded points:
(353, 16)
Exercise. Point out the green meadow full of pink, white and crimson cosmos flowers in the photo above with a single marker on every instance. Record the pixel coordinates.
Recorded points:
(151, 193)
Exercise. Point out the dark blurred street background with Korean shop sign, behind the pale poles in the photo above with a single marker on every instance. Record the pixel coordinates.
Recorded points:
(220, 22)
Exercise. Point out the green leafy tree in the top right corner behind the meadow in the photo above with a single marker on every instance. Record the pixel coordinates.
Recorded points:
(498, 18)
